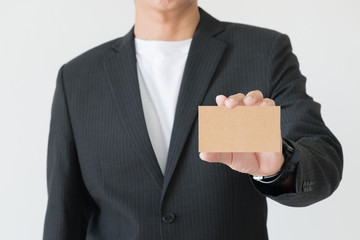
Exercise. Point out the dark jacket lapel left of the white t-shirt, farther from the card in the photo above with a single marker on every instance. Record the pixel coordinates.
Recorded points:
(122, 77)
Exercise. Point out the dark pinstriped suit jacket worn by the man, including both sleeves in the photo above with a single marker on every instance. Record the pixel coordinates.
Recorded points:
(104, 181)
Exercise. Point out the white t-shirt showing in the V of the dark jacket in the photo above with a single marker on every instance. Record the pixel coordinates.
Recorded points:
(160, 67)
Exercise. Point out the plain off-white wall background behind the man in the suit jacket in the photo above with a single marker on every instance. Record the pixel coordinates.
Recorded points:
(38, 36)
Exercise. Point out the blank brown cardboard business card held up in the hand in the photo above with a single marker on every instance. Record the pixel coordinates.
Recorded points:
(241, 129)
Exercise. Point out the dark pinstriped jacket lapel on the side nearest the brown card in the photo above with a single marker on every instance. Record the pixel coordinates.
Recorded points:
(203, 58)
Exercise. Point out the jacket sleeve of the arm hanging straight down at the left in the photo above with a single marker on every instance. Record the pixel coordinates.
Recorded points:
(69, 204)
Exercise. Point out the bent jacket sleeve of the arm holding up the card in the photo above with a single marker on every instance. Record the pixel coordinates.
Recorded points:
(318, 154)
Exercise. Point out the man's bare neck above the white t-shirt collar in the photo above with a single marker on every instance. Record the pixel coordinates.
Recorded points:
(173, 25)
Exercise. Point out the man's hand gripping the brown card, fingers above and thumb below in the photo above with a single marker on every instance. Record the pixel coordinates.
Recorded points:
(258, 163)
